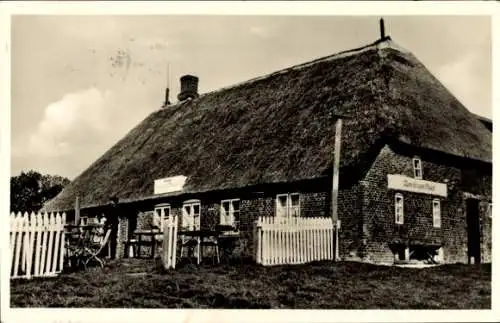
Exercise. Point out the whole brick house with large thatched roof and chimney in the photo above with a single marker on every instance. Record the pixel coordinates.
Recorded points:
(415, 165)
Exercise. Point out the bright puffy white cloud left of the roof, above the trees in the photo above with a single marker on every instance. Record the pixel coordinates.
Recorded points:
(72, 121)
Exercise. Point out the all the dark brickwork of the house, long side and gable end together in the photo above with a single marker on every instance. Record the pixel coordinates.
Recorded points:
(366, 208)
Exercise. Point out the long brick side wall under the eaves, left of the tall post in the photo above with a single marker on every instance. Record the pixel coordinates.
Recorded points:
(313, 203)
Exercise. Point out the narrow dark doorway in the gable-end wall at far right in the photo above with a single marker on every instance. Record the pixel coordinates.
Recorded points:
(473, 231)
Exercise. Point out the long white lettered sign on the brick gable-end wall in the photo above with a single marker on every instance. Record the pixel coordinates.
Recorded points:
(404, 183)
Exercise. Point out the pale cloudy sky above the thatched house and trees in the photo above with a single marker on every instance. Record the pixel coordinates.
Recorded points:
(80, 83)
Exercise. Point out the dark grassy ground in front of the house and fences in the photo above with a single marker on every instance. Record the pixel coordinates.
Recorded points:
(144, 284)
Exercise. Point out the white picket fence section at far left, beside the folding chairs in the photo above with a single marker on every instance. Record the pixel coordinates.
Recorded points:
(36, 244)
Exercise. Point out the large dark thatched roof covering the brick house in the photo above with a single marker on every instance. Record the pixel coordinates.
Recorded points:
(280, 128)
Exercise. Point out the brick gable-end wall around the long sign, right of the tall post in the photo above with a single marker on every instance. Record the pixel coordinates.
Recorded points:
(379, 228)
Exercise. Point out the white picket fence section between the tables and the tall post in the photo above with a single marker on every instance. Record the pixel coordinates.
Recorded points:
(280, 241)
